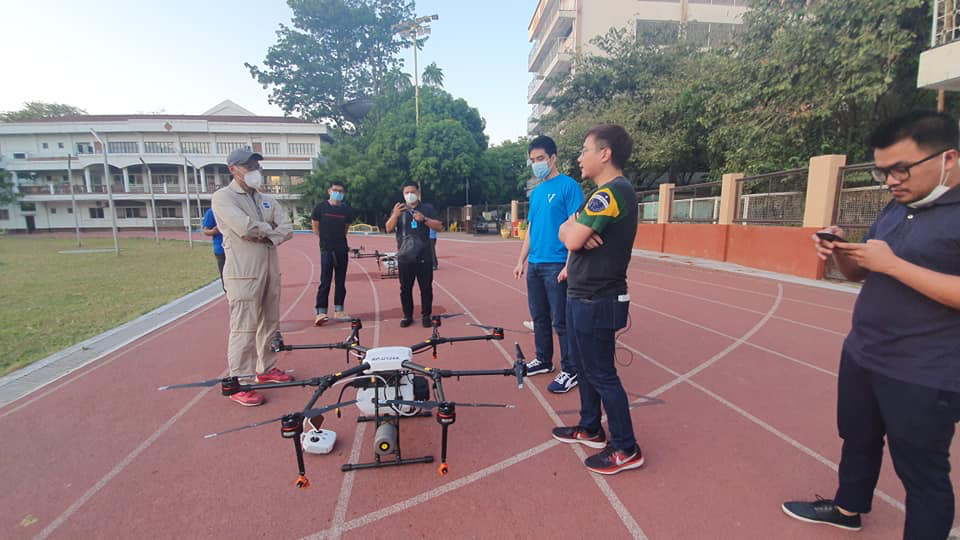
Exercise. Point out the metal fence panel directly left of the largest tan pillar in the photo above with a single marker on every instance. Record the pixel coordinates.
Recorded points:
(775, 198)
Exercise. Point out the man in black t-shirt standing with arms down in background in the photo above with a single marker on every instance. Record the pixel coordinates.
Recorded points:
(330, 220)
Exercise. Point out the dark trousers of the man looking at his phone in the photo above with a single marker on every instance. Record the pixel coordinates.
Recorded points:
(918, 422)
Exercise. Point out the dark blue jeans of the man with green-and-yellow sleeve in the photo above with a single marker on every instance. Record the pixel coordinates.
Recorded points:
(593, 327)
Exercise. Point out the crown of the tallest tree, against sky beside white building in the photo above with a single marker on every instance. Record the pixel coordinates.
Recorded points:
(337, 51)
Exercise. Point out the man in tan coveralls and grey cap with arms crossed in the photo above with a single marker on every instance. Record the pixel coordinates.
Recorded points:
(253, 225)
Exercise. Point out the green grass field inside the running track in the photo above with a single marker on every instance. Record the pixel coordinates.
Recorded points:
(49, 300)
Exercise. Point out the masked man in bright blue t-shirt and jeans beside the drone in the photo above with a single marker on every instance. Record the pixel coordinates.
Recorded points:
(555, 199)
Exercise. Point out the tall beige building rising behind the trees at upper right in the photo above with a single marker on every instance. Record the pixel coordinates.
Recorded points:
(561, 29)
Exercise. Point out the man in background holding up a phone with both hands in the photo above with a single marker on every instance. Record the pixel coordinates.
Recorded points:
(415, 219)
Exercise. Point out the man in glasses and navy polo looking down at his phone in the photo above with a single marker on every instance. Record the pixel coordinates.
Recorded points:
(899, 371)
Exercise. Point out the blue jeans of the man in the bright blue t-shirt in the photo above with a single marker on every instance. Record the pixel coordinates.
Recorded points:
(547, 300)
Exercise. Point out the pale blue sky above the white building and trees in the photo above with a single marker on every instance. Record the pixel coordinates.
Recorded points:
(184, 57)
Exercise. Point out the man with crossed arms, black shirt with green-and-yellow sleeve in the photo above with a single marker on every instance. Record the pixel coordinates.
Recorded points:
(600, 239)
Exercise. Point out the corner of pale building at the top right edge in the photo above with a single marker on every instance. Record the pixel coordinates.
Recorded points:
(939, 68)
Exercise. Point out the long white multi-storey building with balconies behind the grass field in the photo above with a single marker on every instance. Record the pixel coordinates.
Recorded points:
(173, 163)
